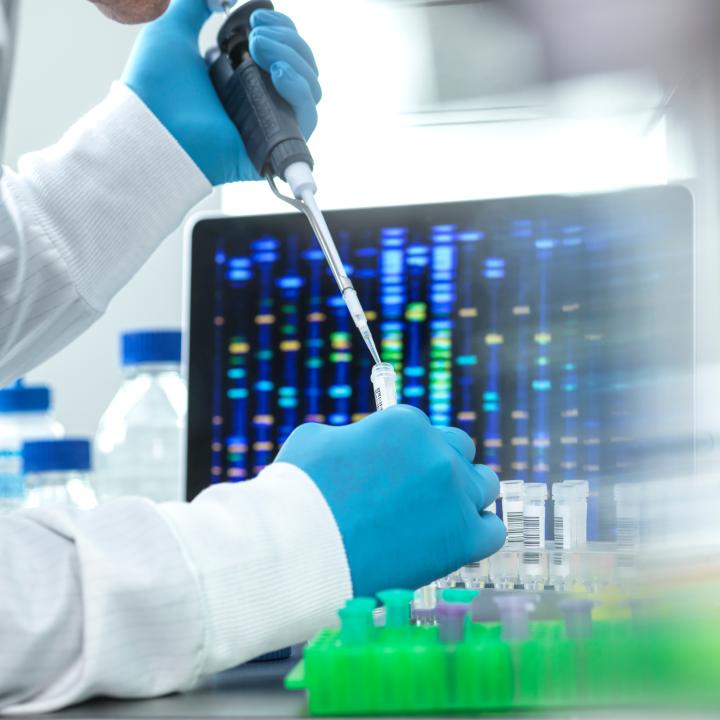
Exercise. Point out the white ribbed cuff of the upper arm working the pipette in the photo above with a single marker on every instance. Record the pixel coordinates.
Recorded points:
(117, 183)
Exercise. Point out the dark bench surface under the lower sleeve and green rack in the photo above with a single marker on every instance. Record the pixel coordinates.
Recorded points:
(256, 691)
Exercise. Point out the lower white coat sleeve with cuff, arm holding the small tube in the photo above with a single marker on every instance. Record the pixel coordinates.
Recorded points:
(135, 599)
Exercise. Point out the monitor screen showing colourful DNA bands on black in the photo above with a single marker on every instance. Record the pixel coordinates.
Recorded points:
(551, 329)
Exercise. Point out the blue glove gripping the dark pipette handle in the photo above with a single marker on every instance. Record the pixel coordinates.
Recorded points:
(170, 76)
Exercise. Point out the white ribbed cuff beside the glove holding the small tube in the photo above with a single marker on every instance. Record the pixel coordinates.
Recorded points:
(269, 562)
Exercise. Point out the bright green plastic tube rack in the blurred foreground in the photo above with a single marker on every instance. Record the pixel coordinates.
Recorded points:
(401, 668)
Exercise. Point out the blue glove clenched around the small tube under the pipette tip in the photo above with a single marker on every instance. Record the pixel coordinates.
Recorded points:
(405, 495)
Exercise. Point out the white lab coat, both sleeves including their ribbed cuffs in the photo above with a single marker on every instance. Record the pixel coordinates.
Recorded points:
(134, 599)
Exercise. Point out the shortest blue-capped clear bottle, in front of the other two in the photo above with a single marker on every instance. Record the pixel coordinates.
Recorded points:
(57, 472)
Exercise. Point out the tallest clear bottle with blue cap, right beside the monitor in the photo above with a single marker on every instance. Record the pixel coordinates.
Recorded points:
(138, 444)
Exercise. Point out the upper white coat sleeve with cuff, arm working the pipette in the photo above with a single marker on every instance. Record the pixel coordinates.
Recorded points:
(78, 219)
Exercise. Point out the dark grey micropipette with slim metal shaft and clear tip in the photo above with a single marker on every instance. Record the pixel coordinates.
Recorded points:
(273, 139)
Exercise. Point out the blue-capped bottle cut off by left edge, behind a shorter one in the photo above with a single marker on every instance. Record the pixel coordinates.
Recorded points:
(24, 415)
